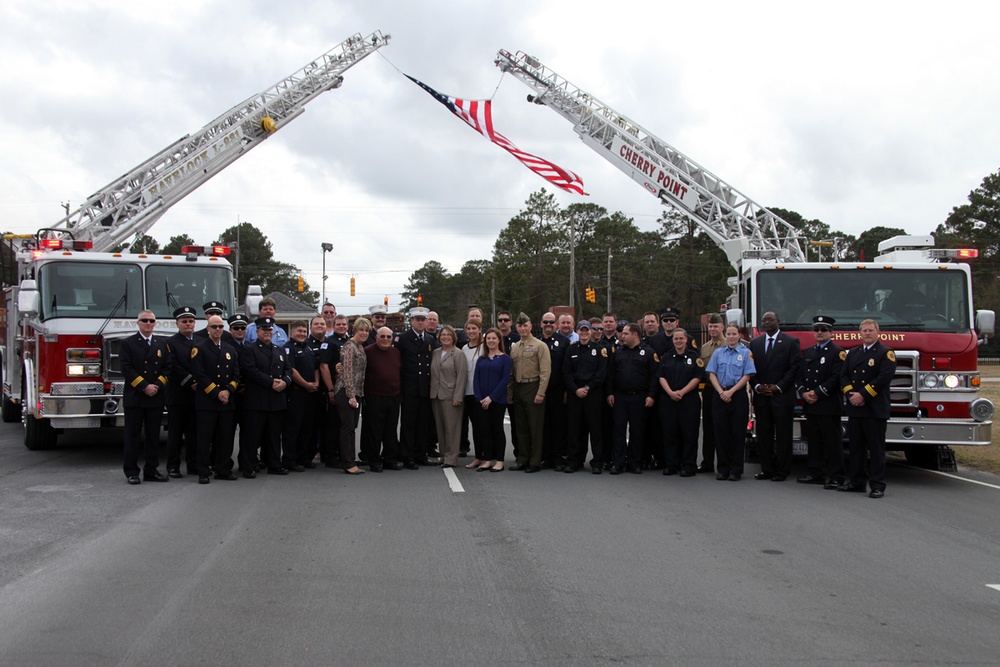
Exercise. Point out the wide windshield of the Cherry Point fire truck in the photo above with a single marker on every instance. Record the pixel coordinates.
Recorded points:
(898, 299)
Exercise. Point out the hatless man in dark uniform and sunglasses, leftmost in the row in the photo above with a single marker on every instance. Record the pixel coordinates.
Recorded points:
(145, 364)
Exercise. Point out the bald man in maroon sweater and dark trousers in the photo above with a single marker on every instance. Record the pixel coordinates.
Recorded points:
(380, 416)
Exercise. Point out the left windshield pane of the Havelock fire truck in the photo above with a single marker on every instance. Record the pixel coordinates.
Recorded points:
(89, 289)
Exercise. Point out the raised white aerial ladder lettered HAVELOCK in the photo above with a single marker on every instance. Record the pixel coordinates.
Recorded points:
(131, 204)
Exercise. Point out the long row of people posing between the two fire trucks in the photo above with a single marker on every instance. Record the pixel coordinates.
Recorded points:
(633, 393)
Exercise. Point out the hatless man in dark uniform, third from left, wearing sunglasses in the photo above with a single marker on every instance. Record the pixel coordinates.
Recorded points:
(216, 370)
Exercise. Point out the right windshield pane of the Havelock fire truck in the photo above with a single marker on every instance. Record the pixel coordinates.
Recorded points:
(171, 286)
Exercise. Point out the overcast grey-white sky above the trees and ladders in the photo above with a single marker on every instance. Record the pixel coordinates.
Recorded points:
(856, 113)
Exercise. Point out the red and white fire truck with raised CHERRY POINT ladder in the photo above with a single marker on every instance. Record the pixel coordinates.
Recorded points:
(921, 296)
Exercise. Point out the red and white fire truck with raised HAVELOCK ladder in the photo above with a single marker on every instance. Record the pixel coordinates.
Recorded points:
(74, 290)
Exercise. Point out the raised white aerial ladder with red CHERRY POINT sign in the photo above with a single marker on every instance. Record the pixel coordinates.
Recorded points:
(735, 222)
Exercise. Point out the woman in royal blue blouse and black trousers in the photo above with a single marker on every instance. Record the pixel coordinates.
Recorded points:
(490, 380)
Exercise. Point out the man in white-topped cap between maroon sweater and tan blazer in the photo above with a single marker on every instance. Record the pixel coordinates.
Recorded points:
(415, 385)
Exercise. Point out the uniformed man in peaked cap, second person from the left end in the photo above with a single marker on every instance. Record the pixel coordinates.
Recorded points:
(182, 429)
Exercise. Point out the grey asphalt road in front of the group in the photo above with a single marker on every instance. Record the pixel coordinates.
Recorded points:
(398, 568)
